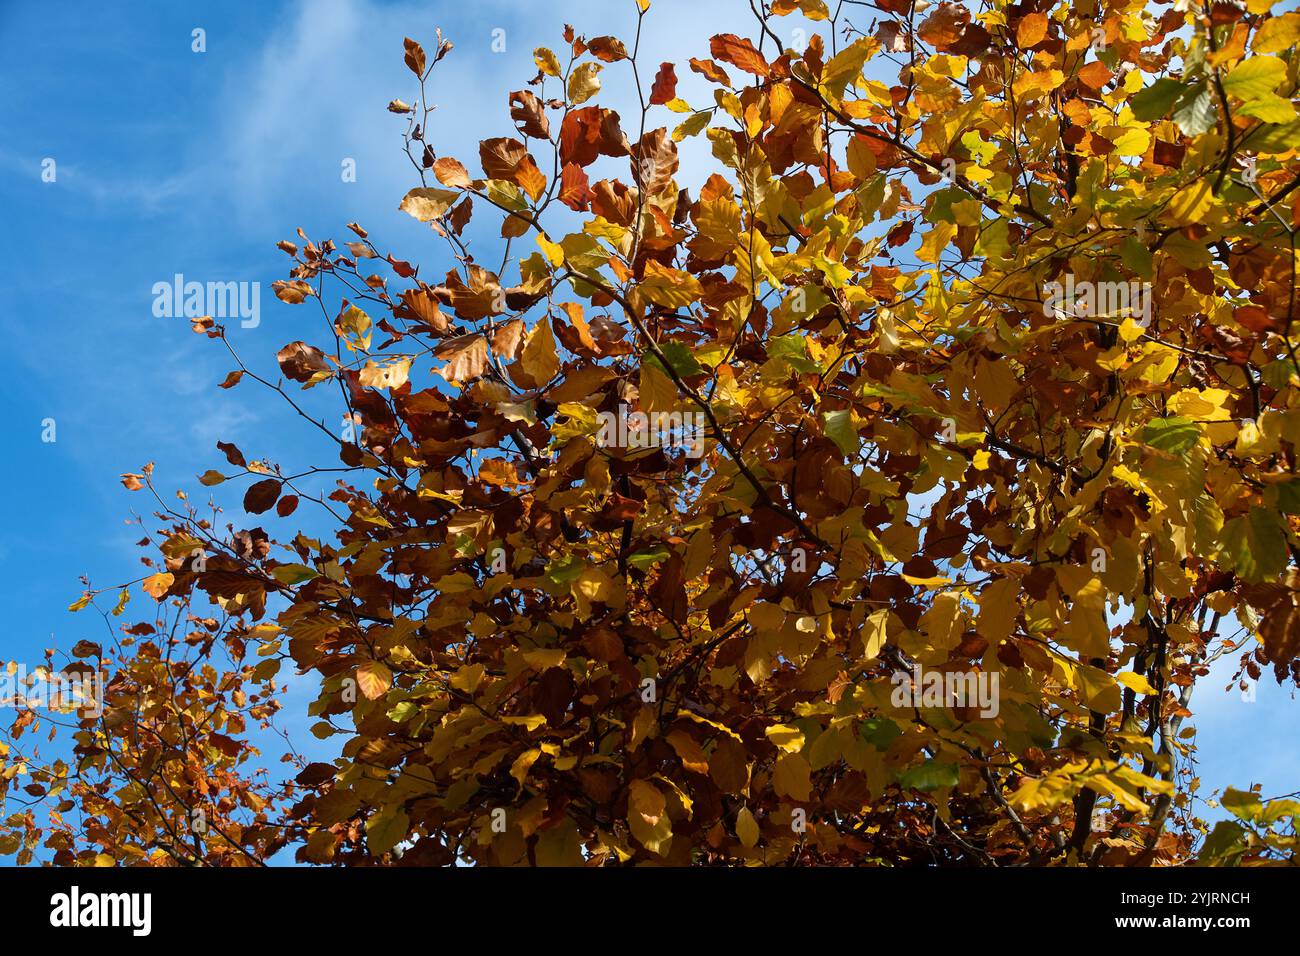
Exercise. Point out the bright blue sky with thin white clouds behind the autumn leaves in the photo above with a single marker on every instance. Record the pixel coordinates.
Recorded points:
(174, 162)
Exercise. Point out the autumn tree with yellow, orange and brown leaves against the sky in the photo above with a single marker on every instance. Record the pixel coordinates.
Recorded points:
(879, 498)
